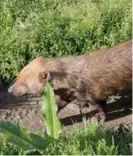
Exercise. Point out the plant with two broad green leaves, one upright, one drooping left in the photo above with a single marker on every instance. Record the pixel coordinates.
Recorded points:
(18, 136)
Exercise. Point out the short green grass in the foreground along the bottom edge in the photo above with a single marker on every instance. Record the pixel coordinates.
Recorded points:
(93, 140)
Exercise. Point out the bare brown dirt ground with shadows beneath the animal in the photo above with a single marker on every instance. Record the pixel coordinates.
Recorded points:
(26, 111)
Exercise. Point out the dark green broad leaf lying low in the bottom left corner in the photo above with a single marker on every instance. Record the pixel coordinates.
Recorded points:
(20, 137)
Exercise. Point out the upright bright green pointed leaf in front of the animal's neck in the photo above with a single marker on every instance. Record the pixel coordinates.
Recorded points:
(49, 113)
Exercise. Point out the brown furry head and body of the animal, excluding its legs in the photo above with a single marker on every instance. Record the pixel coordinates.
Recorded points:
(90, 77)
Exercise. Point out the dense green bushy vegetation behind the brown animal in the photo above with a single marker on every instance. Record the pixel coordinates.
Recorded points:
(58, 28)
